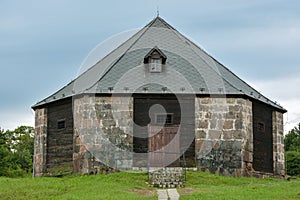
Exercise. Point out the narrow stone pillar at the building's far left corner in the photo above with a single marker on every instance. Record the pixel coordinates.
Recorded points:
(40, 142)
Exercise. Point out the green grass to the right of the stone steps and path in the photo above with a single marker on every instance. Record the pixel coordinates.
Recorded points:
(208, 186)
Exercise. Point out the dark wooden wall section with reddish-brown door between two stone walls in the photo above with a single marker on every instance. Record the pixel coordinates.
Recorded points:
(162, 141)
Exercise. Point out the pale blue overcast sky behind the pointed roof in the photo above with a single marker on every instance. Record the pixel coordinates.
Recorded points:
(43, 43)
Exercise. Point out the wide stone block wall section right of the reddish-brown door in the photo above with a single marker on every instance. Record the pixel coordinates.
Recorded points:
(223, 135)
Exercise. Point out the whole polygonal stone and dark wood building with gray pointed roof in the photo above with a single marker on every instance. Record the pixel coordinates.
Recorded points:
(159, 100)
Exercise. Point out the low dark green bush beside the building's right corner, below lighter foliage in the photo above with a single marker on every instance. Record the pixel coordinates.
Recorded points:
(293, 163)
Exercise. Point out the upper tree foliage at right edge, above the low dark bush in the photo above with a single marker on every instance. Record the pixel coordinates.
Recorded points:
(292, 140)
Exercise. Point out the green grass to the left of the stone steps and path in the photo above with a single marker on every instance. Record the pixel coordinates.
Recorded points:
(119, 186)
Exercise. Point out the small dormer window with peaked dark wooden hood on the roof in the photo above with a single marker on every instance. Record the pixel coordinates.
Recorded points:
(155, 60)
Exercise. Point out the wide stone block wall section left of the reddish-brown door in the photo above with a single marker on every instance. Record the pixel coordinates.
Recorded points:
(103, 133)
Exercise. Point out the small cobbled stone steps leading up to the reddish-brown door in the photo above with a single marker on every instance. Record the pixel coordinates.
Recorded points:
(167, 178)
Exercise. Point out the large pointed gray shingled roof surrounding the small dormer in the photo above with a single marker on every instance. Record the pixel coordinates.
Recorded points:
(188, 69)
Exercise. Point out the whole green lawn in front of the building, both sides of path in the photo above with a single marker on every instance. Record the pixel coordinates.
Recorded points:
(127, 185)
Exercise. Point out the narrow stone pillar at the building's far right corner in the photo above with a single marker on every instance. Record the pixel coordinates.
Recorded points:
(278, 144)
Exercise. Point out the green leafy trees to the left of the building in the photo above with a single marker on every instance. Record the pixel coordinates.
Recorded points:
(16, 151)
